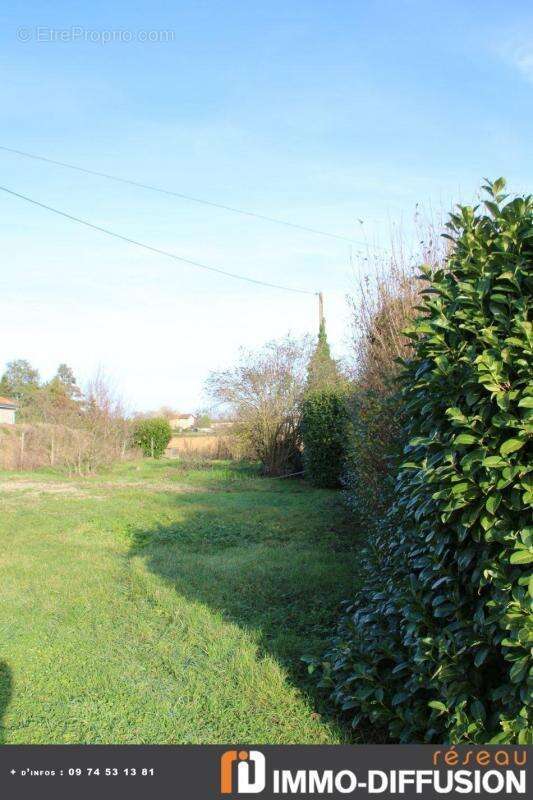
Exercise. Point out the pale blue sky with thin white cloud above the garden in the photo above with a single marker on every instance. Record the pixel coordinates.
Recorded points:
(323, 113)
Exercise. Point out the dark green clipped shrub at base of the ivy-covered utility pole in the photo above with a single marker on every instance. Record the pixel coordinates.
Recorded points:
(324, 434)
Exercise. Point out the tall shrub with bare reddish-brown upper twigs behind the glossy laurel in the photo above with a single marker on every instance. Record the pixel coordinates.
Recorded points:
(383, 305)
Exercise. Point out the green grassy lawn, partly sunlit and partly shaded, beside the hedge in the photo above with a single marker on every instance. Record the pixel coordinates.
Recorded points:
(158, 603)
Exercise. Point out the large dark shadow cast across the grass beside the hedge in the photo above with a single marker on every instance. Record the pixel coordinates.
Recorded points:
(278, 564)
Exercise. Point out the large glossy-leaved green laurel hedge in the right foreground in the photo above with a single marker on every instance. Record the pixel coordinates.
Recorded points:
(435, 647)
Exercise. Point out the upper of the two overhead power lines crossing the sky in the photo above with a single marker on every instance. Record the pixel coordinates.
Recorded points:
(183, 196)
